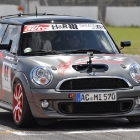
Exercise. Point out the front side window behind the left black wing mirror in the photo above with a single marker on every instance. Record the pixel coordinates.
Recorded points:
(12, 33)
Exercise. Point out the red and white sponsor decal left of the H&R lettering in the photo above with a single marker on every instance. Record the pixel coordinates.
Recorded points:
(35, 28)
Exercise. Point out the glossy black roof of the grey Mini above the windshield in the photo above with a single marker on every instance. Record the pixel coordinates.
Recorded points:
(46, 18)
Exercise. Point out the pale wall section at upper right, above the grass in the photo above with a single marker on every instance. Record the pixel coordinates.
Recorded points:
(123, 16)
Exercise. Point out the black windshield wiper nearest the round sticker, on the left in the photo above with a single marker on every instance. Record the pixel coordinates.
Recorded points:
(42, 52)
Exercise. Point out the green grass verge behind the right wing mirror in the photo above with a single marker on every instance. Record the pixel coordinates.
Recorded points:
(126, 33)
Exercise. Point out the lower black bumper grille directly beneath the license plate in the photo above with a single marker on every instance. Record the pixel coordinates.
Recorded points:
(95, 108)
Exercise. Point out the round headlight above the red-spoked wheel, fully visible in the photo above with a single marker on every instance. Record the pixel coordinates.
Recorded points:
(41, 75)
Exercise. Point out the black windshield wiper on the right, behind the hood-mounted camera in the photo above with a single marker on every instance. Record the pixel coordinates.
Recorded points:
(87, 50)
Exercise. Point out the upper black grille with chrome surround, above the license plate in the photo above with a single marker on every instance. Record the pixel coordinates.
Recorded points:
(93, 83)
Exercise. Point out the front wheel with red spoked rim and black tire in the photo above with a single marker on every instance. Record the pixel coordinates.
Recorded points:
(21, 111)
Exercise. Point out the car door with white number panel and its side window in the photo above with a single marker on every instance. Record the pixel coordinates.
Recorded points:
(9, 56)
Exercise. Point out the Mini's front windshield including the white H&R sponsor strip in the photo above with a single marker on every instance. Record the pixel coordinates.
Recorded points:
(67, 38)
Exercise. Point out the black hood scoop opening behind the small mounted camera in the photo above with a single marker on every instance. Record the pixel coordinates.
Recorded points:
(90, 68)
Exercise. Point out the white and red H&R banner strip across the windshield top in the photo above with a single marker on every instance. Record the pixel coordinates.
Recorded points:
(62, 27)
